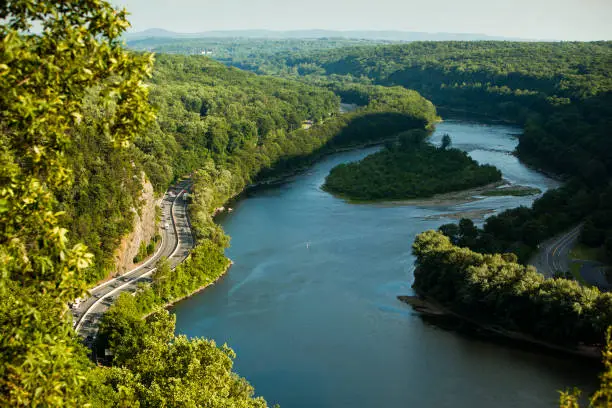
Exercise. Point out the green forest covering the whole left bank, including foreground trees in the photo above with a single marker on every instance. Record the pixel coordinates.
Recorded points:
(80, 130)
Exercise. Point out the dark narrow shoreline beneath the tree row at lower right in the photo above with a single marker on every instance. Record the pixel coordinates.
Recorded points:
(438, 313)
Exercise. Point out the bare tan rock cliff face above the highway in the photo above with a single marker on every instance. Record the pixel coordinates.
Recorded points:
(144, 229)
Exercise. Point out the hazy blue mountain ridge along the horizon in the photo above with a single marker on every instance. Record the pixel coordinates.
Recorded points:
(390, 35)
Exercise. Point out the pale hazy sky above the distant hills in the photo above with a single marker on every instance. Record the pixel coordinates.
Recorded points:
(543, 19)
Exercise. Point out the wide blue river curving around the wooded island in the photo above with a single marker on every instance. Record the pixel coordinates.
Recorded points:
(310, 305)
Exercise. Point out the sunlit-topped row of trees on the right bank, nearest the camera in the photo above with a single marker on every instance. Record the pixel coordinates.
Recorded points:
(497, 290)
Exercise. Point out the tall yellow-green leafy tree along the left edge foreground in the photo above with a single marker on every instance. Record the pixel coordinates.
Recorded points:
(43, 79)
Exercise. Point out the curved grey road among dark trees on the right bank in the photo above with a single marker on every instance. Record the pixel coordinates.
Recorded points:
(553, 254)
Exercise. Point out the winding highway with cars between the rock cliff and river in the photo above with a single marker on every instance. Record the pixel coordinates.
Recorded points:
(177, 241)
